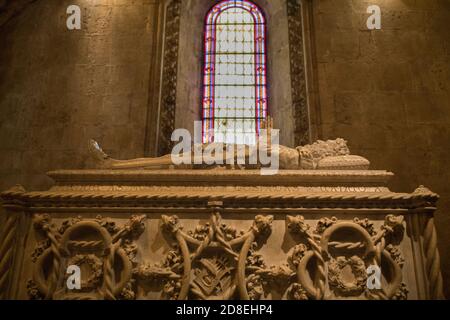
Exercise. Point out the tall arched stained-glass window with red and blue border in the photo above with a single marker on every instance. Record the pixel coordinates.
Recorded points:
(234, 73)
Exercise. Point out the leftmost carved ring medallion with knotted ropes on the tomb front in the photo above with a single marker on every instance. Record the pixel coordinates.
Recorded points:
(103, 250)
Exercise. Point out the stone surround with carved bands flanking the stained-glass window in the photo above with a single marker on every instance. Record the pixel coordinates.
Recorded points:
(172, 84)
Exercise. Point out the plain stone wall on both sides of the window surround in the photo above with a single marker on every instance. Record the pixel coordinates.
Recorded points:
(385, 91)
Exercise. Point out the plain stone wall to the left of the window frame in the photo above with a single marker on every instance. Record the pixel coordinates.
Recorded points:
(59, 88)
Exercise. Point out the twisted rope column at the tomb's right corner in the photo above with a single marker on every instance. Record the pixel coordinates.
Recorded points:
(433, 261)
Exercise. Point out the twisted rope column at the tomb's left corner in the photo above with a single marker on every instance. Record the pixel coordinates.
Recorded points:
(6, 252)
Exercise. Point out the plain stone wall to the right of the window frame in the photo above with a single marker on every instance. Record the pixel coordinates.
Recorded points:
(387, 91)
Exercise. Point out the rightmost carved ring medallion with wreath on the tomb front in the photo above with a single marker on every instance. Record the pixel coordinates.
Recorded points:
(341, 252)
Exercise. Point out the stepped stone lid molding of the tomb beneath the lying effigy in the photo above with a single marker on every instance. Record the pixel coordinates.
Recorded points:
(244, 189)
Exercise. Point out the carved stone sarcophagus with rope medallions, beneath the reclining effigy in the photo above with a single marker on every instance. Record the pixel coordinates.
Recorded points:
(219, 234)
